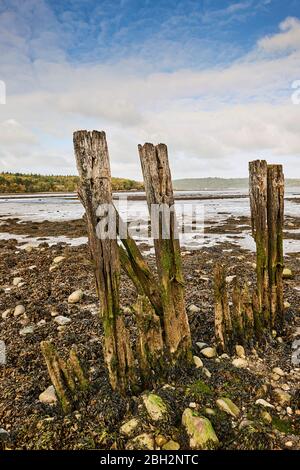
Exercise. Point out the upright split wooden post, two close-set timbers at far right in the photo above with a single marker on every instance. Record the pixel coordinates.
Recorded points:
(267, 215)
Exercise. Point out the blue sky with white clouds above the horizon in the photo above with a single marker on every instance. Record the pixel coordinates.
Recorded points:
(218, 81)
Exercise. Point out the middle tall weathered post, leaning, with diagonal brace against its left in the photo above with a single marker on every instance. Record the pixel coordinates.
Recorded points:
(159, 193)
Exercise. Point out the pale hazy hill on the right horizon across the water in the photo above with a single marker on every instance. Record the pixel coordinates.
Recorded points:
(202, 184)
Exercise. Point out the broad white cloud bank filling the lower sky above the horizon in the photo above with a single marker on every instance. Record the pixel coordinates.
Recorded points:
(214, 120)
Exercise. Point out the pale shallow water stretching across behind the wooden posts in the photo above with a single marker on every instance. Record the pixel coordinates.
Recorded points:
(196, 214)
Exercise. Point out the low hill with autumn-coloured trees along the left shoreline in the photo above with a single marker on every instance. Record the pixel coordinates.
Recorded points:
(33, 183)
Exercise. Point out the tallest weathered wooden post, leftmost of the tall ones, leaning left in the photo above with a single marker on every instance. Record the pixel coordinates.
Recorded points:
(95, 192)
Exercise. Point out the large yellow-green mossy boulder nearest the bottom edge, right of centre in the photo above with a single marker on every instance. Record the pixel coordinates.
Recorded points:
(200, 431)
